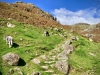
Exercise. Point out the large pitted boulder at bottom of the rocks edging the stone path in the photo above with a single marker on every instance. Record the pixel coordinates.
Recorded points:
(62, 65)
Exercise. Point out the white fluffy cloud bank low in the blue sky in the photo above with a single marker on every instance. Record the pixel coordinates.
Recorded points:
(91, 16)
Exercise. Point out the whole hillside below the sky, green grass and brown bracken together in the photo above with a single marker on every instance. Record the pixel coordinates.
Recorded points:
(64, 52)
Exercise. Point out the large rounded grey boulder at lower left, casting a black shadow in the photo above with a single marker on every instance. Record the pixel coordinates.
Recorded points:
(11, 59)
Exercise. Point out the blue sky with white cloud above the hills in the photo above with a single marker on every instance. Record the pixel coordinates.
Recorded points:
(69, 12)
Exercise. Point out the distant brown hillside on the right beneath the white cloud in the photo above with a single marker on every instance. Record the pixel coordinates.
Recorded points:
(87, 30)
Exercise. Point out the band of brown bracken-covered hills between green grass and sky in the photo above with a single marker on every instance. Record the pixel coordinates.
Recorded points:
(31, 14)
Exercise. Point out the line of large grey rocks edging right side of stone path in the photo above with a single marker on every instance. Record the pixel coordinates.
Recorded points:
(62, 63)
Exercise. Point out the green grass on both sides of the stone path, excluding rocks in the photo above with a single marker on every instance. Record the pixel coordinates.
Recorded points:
(81, 61)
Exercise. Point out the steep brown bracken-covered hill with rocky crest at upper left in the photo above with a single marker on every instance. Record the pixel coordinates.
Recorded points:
(27, 13)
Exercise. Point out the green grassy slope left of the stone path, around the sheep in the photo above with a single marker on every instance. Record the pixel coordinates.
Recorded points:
(33, 41)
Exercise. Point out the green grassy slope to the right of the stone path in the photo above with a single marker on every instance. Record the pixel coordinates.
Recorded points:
(86, 58)
